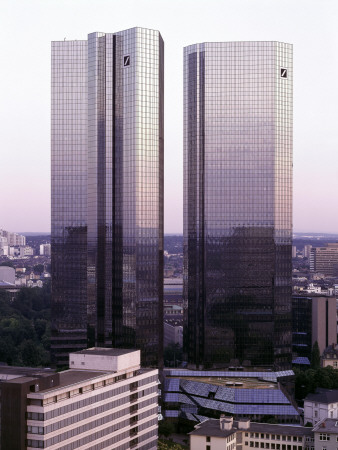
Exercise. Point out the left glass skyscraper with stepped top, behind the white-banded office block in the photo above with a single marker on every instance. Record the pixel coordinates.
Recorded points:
(107, 193)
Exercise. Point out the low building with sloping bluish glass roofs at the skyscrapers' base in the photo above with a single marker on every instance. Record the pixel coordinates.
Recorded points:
(197, 395)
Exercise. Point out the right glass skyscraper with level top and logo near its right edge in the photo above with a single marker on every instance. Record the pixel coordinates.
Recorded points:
(238, 203)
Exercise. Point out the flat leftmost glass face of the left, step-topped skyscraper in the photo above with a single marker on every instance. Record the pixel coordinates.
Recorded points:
(69, 198)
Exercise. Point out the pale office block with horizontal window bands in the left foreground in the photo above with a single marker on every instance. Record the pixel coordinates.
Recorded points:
(105, 400)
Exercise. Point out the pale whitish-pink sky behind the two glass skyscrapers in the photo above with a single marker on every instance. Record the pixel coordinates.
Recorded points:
(28, 26)
